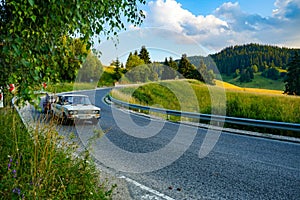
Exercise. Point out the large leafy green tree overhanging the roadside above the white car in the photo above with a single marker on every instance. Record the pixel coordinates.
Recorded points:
(35, 36)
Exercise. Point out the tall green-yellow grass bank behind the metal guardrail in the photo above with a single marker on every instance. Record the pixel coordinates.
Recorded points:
(239, 102)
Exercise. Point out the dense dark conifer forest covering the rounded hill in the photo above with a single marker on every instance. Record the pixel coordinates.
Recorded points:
(271, 61)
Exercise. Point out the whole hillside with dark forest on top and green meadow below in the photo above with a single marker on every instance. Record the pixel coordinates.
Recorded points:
(250, 65)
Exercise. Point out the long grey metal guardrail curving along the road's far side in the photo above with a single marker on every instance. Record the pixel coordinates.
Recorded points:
(216, 118)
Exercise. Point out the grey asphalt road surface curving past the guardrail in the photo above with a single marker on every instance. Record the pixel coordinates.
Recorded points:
(164, 156)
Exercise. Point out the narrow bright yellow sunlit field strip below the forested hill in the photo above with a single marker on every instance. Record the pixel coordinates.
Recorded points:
(229, 86)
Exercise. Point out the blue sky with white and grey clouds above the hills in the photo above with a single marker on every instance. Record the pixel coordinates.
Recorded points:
(201, 27)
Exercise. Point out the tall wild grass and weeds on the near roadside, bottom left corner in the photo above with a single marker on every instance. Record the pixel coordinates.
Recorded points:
(32, 166)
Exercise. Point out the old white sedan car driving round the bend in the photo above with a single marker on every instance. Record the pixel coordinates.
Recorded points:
(71, 107)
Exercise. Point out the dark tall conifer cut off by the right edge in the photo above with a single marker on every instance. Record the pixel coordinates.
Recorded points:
(292, 79)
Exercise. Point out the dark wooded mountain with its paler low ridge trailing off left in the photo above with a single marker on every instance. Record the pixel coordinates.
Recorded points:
(243, 56)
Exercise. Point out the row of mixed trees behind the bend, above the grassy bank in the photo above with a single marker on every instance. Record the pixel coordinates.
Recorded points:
(140, 68)
